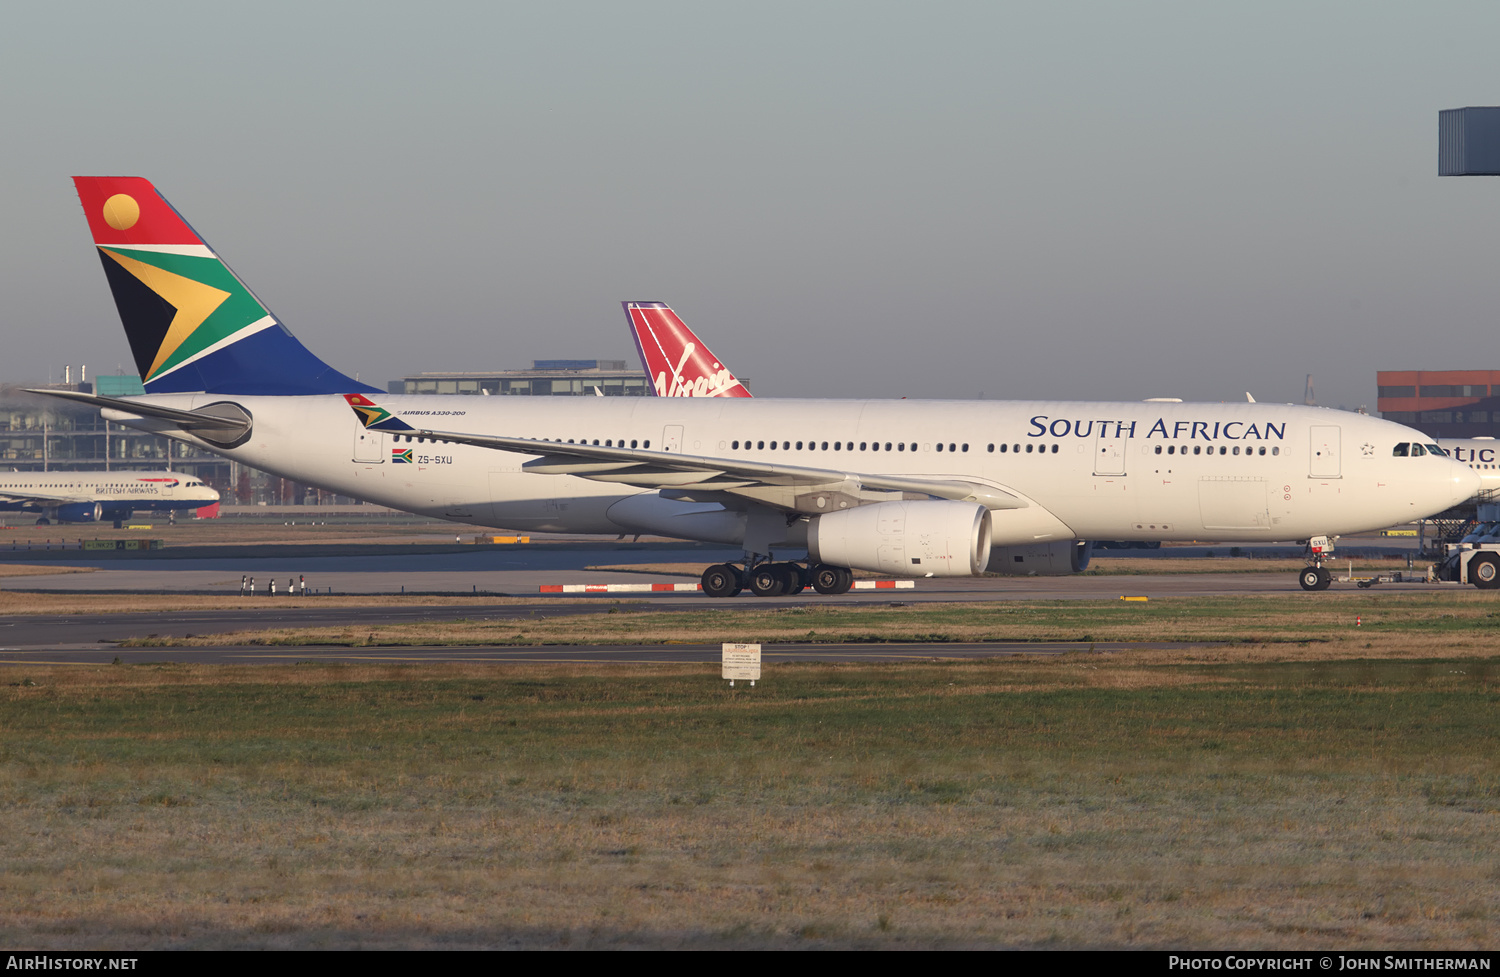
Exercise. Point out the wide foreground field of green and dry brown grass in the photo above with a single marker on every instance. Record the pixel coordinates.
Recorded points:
(1072, 802)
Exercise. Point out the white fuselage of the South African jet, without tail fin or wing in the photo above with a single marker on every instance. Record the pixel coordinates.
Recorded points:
(1129, 470)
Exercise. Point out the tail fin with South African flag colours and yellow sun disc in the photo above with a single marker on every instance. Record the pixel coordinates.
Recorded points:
(191, 322)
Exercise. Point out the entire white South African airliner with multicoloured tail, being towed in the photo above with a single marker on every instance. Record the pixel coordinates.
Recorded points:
(920, 488)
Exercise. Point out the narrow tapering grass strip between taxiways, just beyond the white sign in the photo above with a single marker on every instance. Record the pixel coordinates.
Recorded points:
(1423, 625)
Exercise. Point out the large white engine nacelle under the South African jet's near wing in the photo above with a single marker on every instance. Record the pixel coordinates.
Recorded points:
(907, 540)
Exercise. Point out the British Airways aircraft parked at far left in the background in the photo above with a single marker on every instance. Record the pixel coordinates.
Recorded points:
(97, 496)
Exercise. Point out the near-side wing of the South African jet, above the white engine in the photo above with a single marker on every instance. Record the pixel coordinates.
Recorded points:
(796, 488)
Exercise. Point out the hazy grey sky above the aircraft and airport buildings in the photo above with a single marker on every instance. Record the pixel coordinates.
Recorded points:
(1021, 200)
